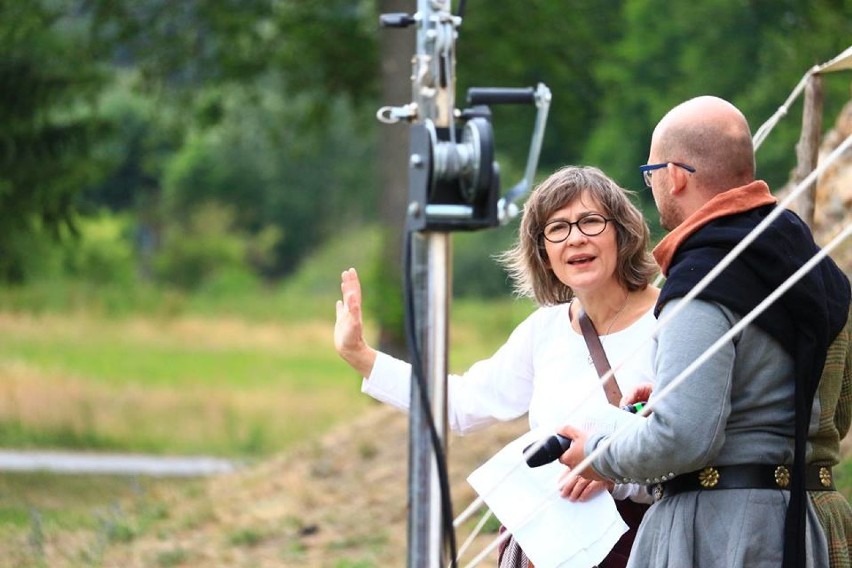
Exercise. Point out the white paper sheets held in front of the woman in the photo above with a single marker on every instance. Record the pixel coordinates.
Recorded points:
(552, 531)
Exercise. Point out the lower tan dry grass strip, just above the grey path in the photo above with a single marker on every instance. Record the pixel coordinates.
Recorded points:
(192, 419)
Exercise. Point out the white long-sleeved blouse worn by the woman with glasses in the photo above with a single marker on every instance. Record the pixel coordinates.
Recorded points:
(544, 368)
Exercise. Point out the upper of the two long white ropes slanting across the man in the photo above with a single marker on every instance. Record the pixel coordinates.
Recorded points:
(724, 263)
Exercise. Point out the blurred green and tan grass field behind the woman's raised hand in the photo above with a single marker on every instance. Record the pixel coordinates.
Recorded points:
(191, 384)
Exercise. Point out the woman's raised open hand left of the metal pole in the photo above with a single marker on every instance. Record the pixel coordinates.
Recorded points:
(349, 327)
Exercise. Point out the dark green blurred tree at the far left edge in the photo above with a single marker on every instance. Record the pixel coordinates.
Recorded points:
(47, 85)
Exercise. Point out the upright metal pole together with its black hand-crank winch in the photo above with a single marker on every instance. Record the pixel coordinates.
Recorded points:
(453, 185)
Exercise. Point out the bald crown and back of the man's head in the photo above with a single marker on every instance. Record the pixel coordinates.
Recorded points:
(713, 136)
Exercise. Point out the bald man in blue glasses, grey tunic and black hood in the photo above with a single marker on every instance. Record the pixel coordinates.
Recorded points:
(724, 453)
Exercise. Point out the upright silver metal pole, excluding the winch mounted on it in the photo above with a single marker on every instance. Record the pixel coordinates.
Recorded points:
(433, 93)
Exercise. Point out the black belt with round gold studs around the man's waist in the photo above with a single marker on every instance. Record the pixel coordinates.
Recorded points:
(750, 476)
